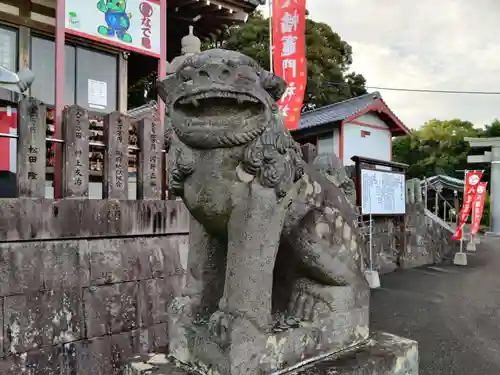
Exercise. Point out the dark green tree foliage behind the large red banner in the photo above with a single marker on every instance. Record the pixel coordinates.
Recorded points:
(329, 58)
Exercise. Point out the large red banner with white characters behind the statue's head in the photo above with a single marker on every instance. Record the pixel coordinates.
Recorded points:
(289, 56)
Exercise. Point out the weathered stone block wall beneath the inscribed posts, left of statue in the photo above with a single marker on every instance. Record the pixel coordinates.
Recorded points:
(85, 284)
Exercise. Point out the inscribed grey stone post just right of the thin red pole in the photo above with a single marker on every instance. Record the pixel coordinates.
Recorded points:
(75, 131)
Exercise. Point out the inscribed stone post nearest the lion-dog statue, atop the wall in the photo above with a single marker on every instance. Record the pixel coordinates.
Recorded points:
(150, 136)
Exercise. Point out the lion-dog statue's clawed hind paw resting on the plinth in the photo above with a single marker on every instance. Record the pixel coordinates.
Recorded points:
(310, 301)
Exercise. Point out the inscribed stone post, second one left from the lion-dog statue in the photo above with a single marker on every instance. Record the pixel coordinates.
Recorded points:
(115, 183)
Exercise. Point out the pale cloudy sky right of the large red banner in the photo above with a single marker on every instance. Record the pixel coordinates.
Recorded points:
(424, 44)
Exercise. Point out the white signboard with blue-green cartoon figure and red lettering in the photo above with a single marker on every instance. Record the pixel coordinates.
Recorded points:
(129, 24)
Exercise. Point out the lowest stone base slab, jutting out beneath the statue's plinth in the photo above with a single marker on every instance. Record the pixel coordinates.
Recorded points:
(383, 354)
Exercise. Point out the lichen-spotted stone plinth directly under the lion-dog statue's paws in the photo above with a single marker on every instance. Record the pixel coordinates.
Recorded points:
(250, 353)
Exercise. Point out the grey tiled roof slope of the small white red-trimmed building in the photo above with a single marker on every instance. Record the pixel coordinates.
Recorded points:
(337, 111)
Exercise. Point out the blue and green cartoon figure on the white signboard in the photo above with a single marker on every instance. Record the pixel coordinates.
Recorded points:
(117, 19)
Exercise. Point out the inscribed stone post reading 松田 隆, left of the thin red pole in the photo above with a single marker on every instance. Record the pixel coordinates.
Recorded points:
(31, 128)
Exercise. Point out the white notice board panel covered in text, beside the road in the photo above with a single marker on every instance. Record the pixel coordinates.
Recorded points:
(383, 192)
